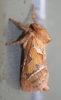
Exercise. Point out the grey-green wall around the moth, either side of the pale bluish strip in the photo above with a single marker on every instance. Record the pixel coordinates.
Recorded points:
(9, 71)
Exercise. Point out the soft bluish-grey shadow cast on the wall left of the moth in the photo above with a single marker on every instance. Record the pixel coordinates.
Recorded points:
(11, 72)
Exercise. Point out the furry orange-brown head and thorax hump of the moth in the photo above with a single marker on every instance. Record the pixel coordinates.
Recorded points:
(41, 33)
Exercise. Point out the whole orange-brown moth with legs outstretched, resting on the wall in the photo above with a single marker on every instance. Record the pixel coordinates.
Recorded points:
(35, 74)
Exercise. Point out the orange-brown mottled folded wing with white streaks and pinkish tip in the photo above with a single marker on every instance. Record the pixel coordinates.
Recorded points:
(35, 73)
